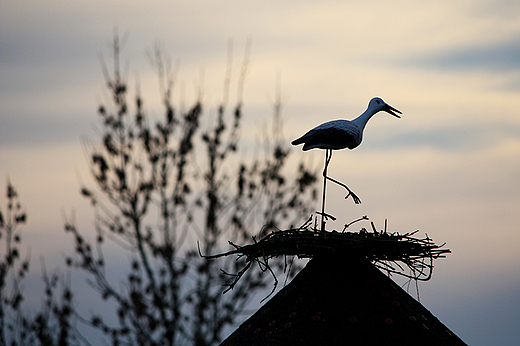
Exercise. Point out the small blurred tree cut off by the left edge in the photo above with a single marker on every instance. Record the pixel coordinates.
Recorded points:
(54, 322)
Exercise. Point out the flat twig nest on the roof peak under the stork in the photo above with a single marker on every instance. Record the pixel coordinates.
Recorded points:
(395, 253)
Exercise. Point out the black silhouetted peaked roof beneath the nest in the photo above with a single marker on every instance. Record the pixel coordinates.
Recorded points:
(342, 300)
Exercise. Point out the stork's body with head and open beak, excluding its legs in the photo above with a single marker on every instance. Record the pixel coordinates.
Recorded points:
(341, 134)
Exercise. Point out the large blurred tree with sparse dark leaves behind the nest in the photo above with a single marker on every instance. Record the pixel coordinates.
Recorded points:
(159, 188)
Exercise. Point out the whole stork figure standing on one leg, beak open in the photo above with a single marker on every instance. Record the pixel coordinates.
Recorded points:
(341, 134)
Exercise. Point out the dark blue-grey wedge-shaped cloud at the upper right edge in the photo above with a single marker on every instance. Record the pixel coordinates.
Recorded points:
(495, 57)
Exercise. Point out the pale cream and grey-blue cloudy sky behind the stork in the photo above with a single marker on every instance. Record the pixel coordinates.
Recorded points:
(450, 167)
